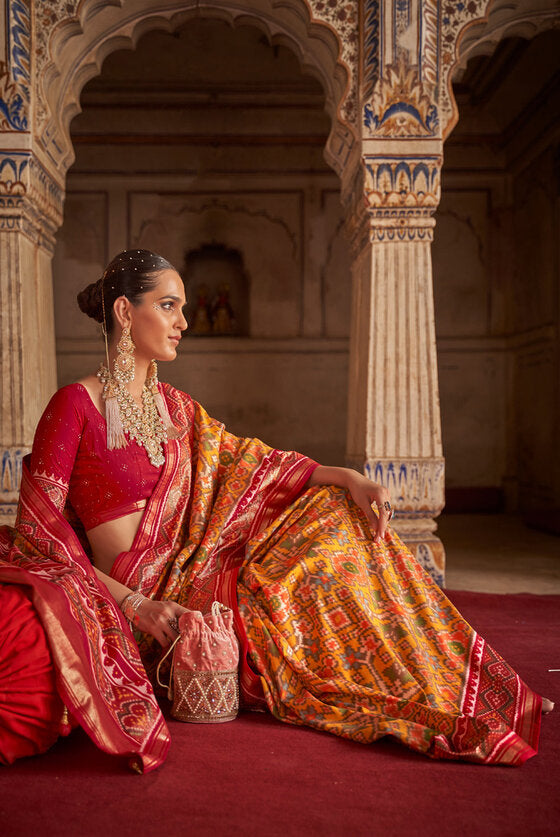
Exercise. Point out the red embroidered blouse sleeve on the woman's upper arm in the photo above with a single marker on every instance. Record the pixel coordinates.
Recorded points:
(56, 444)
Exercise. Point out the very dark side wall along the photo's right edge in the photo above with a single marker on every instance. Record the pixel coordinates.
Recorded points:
(535, 315)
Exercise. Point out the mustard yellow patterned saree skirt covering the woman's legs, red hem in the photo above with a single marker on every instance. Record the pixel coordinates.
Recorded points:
(356, 639)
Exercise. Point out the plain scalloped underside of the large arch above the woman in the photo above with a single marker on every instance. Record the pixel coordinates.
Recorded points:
(78, 46)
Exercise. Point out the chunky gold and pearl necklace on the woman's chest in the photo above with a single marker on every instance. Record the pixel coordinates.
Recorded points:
(145, 424)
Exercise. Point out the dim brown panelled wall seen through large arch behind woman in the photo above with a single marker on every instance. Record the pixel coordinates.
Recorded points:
(211, 136)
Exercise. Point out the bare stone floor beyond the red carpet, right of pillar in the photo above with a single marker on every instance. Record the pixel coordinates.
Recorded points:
(498, 553)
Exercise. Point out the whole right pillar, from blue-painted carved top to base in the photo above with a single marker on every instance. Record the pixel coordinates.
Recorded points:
(407, 52)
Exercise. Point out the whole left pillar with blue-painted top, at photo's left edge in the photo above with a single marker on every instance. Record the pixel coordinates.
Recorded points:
(31, 197)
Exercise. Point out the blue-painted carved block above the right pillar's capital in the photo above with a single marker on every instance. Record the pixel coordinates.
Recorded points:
(409, 51)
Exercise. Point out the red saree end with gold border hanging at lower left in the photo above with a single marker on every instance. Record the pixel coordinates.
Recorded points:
(99, 674)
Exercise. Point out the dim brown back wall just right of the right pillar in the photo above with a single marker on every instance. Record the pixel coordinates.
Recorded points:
(471, 358)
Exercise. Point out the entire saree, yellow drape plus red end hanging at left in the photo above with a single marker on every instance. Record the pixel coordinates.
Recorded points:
(336, 632)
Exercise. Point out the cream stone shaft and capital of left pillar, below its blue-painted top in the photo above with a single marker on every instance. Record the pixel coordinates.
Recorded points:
(30, 211)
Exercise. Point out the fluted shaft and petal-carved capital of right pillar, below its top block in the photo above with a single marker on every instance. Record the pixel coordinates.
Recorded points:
(394, 419)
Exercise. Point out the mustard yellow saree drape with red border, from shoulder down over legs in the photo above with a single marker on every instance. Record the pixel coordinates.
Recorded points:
(337, 633)
